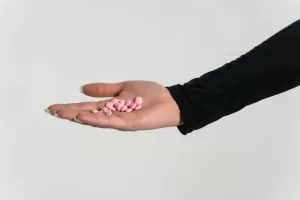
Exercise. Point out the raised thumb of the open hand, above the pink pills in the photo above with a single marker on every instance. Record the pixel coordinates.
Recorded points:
(102, 89)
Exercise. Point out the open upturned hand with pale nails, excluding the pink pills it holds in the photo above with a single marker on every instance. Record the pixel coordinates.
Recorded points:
(159, 109)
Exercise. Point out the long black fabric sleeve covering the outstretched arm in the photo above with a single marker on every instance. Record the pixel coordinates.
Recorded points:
(268, 69)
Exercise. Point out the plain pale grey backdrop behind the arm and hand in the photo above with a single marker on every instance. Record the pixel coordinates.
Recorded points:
(50, 48)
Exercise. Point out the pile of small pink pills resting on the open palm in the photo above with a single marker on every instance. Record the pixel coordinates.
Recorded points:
(121, 106)
